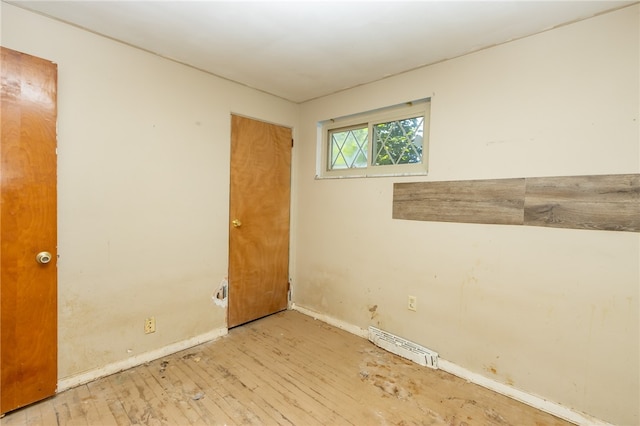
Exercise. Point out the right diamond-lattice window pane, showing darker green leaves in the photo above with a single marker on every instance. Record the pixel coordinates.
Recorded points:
(398, 142)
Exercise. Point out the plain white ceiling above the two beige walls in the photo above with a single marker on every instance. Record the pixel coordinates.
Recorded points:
(301, 50)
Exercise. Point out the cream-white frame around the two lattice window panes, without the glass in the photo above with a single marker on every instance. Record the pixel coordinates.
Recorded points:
(420, 107)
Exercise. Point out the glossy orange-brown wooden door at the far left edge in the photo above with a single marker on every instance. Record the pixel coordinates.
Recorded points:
(28, 340)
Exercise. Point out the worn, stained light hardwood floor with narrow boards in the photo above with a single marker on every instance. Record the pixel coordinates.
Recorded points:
(286, 369)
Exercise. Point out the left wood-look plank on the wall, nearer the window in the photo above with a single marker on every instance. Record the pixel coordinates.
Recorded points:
(474, 201)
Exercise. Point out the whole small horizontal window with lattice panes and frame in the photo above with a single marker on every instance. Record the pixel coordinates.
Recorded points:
(387, 142)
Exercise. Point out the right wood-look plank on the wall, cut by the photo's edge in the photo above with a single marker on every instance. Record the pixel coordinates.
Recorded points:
(608, 202)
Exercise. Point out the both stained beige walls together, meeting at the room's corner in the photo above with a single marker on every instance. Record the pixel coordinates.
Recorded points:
(143, 210)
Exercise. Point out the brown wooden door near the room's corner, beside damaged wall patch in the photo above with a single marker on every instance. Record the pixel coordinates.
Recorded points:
(259, 219)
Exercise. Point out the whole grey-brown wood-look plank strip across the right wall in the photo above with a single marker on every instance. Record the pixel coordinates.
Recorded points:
(605, 202)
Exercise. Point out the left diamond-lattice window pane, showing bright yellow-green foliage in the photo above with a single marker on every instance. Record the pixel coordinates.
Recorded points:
(348, 148)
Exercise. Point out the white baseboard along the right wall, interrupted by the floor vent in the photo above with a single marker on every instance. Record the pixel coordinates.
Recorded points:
(501, 388)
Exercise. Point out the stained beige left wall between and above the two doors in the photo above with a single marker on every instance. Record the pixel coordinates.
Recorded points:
(143, 190)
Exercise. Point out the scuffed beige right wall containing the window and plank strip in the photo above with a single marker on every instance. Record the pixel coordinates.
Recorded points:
(553, 312)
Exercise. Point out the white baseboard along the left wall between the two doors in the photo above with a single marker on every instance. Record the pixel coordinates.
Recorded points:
(88, 376)
